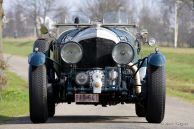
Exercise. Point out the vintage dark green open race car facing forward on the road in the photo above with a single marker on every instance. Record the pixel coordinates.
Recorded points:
(97, 64)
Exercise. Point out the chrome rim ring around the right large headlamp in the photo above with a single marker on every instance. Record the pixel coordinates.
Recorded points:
(133, 52)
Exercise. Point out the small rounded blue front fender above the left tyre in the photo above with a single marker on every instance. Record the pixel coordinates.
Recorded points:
(36, 59)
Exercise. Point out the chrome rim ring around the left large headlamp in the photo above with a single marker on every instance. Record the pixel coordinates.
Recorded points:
(71, 42)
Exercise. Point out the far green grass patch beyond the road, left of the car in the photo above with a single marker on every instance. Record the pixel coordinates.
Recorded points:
(21, 47)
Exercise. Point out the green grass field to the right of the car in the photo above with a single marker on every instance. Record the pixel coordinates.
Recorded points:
(180, 71)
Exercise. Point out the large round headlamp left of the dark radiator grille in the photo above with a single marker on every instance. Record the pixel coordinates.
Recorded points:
(71, 52)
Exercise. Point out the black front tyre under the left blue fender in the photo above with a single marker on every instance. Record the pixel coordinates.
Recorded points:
(38, 94)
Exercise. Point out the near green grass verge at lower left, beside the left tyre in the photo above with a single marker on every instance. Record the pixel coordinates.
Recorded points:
(13, 98)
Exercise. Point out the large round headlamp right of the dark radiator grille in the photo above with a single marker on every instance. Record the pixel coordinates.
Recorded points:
(123, 53)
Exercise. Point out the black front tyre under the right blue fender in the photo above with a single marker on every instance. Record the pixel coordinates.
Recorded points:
(156, 94)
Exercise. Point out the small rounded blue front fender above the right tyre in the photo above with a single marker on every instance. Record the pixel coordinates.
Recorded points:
(156, 59)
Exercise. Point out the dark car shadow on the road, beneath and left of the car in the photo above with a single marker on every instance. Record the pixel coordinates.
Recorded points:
(80, 119)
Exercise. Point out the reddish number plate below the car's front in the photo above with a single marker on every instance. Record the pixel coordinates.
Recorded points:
(87, 98)
